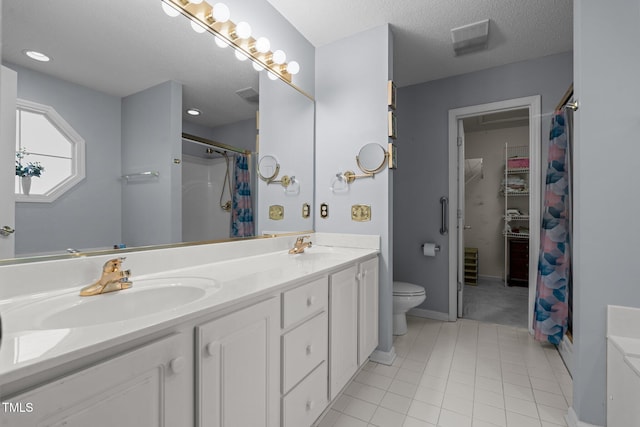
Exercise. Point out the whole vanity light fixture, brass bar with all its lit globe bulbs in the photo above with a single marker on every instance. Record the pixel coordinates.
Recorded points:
(216, 20)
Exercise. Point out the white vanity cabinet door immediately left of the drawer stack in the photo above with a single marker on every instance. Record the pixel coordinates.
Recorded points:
(238, 368)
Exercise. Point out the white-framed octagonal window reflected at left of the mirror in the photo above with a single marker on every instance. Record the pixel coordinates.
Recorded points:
(44, 137)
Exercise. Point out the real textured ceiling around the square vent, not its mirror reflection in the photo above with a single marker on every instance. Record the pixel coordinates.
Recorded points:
(519, 30)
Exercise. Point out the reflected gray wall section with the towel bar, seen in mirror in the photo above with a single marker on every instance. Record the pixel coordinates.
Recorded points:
(151, 140)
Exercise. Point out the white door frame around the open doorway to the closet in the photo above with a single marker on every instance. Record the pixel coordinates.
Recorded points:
(533, 104)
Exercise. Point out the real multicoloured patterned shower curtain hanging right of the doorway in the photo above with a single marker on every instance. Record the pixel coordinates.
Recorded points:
(550, 319)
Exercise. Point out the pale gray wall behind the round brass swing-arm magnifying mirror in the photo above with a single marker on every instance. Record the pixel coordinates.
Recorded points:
(351, 110)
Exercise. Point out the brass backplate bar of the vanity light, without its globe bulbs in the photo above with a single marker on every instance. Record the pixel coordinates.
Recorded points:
(202, 14)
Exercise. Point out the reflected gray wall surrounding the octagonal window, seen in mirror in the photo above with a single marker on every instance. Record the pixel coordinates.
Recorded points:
(65, 222)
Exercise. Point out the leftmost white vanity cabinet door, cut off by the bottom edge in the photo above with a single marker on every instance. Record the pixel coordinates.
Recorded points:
(148, 387)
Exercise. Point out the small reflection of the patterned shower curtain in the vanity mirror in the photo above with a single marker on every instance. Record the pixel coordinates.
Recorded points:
(242, 211)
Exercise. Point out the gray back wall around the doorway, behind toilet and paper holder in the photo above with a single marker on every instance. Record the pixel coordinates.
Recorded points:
(422, 176)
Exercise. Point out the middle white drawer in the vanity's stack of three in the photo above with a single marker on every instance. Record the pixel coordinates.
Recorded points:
(303, 349)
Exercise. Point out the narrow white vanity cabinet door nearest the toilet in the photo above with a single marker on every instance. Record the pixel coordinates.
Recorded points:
(368, 309)
